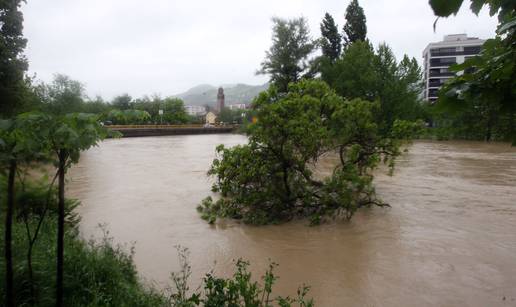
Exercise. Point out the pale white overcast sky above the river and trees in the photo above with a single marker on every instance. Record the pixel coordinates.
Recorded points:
(167, 46)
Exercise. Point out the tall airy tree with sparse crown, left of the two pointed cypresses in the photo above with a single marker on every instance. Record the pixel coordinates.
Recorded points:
(287, 60)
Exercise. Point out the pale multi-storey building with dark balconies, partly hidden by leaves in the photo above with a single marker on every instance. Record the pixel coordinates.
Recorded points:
(439, 56)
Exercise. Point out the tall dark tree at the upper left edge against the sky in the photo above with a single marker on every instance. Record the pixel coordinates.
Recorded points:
(13, 63)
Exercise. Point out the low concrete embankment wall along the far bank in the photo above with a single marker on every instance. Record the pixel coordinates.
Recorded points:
(138, 132)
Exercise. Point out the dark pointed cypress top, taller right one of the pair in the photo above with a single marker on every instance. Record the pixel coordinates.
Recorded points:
(355, 28)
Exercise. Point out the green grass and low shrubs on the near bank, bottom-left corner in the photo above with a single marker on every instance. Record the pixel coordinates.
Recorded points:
(96, 273)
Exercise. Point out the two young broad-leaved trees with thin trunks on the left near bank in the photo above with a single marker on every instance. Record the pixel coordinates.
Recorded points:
(26, 139)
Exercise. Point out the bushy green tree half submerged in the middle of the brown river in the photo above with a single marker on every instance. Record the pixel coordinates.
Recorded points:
(271, 179)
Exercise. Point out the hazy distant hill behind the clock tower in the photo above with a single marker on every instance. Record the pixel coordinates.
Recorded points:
(206, 94)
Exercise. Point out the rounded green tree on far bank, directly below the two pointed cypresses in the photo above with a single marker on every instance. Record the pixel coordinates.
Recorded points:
(372, 75)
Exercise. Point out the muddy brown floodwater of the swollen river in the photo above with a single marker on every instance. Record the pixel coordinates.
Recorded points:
(448, 240)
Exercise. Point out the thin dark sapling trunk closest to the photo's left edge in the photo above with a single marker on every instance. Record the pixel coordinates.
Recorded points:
(9, 291)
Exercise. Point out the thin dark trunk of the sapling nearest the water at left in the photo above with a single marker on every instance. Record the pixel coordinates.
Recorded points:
(60, 230)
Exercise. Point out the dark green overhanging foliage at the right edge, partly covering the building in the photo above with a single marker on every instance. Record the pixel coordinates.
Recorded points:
(480, 103)
